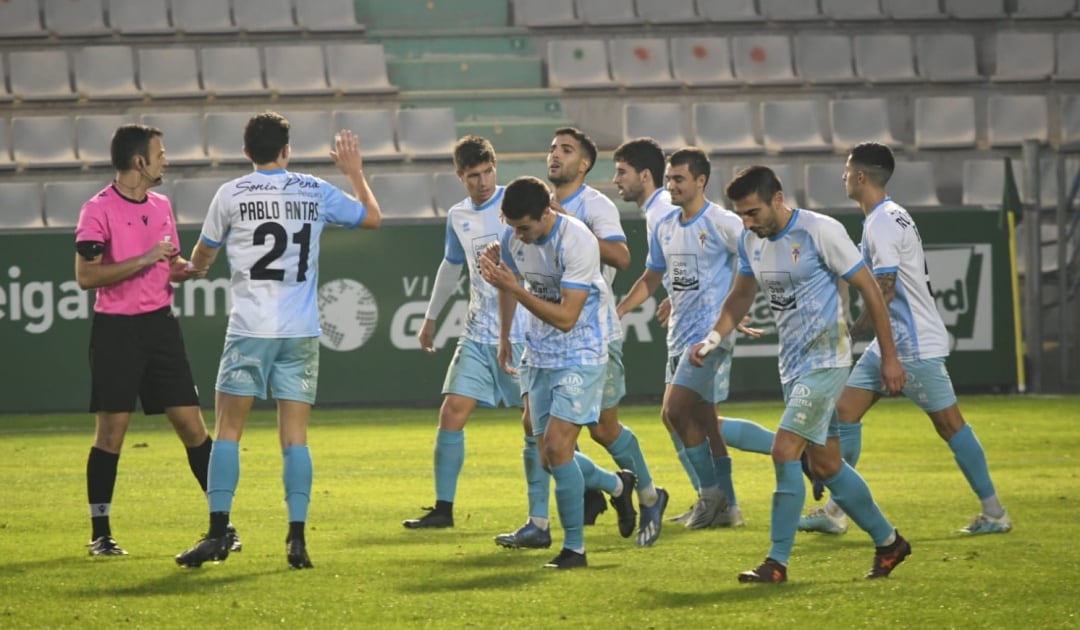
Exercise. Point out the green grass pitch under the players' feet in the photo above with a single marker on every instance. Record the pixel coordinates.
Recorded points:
(373, 470)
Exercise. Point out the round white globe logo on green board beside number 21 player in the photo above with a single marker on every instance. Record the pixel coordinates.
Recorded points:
(348, 315)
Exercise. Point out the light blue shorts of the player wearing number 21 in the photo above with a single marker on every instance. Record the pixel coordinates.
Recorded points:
(289, 367)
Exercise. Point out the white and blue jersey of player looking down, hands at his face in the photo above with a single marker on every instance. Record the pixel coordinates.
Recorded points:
(569, 258)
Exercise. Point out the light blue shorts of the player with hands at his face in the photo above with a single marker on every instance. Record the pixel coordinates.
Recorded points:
(569, 394)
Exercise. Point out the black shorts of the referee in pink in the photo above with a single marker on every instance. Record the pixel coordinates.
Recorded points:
(139, 357)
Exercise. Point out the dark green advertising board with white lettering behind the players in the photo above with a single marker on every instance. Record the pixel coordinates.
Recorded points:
(374, 290)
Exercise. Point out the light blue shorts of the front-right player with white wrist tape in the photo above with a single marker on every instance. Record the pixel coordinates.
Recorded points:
(812, 405)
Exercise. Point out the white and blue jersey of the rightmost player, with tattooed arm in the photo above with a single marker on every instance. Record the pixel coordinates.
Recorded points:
(892, 245)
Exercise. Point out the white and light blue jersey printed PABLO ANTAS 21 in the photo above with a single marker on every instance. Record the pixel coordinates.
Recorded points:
(271, 223)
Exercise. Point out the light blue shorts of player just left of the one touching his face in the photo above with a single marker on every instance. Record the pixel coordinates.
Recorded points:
(475, 373)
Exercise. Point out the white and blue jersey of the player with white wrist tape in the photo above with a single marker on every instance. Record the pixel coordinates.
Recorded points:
(798, 270)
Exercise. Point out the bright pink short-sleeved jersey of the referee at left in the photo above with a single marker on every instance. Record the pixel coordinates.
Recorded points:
(130, 229)
